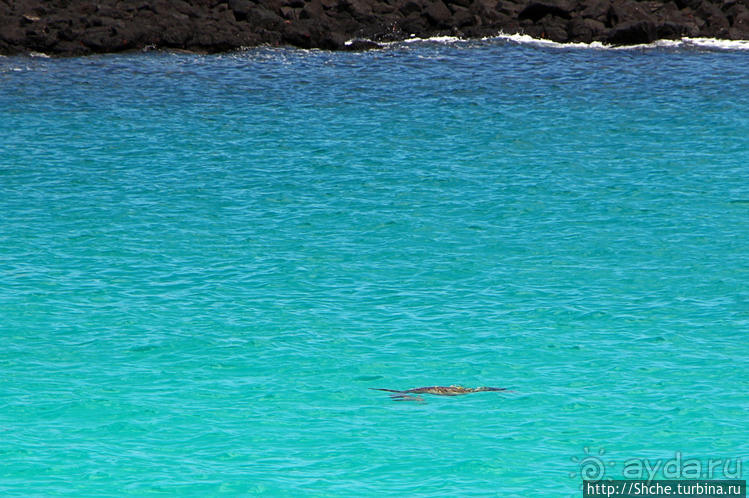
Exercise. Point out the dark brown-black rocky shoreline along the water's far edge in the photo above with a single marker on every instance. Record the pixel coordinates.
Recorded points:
(80, 27)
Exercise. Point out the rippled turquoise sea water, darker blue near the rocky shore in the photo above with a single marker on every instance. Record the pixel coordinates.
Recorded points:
(207, 261)
